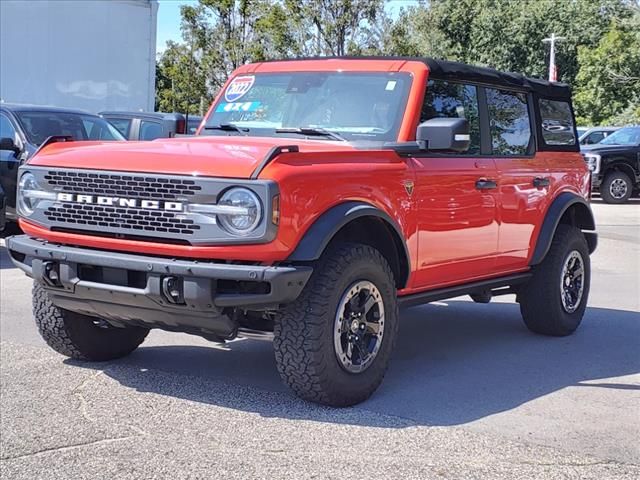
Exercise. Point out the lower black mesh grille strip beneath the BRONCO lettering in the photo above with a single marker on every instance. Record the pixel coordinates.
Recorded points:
(126, 218)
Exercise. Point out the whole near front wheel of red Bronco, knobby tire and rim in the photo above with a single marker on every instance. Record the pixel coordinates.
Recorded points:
(334, 343)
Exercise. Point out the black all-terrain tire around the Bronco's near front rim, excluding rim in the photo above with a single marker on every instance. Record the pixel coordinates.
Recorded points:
(304, 330)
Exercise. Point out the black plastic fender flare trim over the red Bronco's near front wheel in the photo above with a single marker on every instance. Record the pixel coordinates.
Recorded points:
(327, 225)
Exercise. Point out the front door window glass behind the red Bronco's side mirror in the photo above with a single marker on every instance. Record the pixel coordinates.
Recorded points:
(446, 99)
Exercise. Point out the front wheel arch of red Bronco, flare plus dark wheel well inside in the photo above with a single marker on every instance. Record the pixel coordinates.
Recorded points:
(358, 222)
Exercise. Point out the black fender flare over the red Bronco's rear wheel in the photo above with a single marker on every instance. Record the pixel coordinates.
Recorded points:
(554, 214)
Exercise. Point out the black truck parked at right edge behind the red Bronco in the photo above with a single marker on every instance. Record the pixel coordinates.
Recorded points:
(615, 164)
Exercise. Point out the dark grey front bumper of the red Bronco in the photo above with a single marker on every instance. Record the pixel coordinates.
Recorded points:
(129, 289)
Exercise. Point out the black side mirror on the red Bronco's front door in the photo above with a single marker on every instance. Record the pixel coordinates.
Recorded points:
(444, 134)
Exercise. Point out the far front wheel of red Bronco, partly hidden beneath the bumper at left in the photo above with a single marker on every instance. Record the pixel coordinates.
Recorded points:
(79, 336)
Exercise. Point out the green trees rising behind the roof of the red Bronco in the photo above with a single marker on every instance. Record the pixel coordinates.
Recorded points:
(599, 56)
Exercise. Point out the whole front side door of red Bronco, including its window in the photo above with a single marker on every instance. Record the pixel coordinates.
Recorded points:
(456, 197)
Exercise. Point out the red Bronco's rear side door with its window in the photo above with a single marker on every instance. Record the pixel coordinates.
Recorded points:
(523, 175)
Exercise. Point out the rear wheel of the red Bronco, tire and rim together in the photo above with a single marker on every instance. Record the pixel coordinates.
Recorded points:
(553, 302)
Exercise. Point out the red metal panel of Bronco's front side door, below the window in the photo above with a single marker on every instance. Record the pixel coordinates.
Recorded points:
(457, 227)
